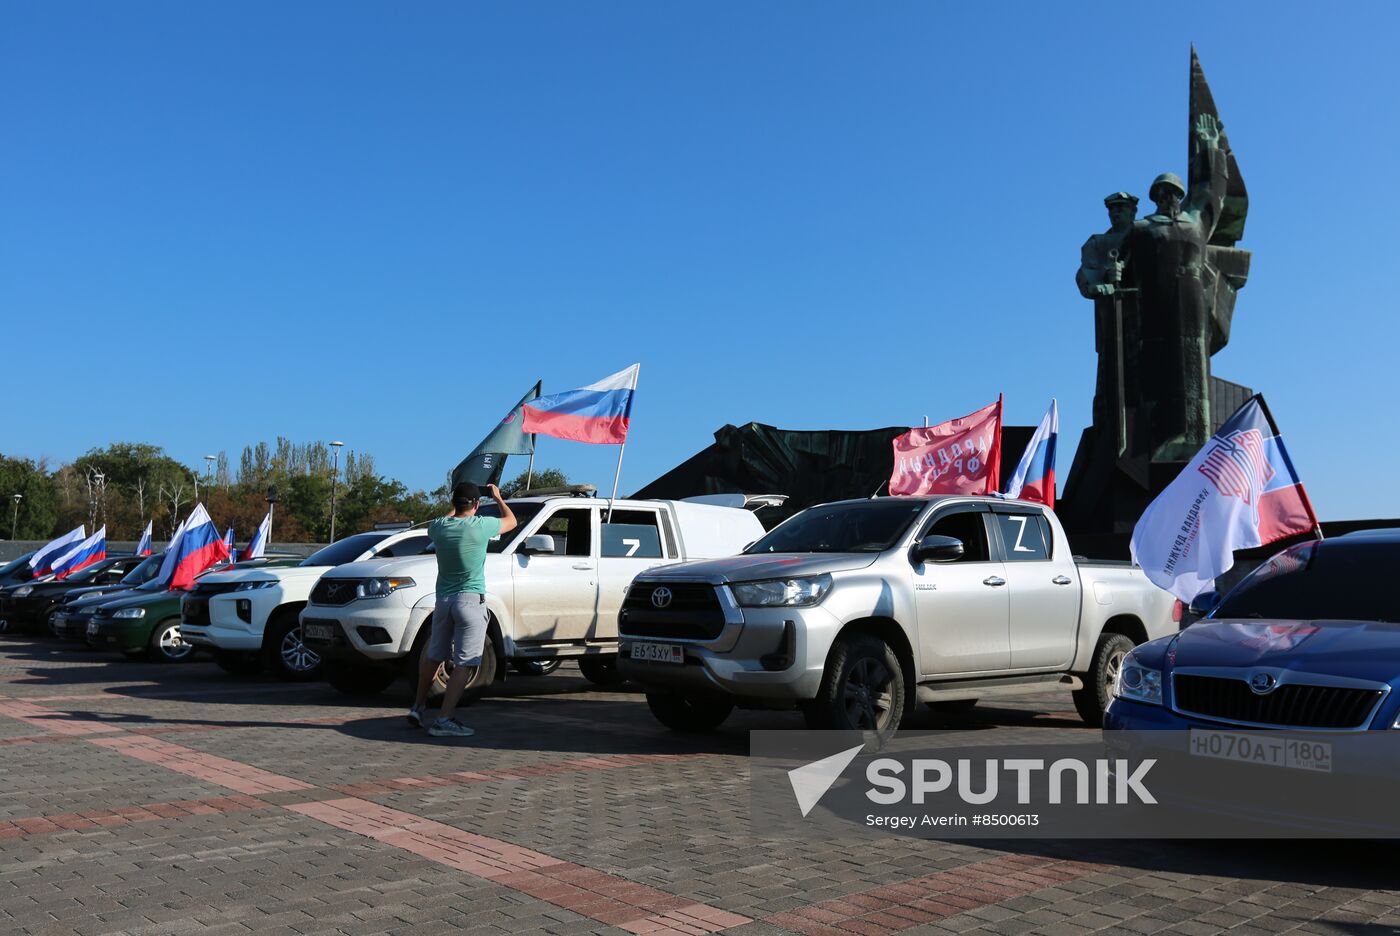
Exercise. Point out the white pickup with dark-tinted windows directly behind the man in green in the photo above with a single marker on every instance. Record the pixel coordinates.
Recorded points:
(554, 587)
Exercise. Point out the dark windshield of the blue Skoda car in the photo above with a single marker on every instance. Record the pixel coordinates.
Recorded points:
(1339, 580)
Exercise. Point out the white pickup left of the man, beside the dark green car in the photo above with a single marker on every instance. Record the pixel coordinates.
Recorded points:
(250, 616)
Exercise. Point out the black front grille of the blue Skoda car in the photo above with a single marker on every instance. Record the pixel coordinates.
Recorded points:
(1290, 706)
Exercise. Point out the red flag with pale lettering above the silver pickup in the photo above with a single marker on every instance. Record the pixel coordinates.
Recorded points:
(958, 457)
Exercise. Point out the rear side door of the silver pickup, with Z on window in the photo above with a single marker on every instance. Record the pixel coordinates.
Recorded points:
(1044, 586)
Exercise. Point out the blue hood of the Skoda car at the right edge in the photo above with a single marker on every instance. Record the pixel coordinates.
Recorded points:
(1359, 650)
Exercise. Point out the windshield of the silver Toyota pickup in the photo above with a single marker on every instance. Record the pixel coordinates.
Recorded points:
(860, 527)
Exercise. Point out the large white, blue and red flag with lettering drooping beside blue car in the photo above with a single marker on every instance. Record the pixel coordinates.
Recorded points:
(1238, 493)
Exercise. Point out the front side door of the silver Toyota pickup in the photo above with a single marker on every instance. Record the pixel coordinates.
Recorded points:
(964, 612)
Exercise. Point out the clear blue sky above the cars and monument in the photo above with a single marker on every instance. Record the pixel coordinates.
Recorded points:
(381, 223)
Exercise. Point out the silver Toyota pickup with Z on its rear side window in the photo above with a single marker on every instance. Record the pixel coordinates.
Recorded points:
(855, 611)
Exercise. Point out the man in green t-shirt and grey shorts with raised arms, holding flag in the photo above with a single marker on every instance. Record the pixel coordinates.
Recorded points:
(460, 615)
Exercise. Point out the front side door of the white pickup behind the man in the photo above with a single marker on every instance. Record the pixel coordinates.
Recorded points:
(556, 594)
